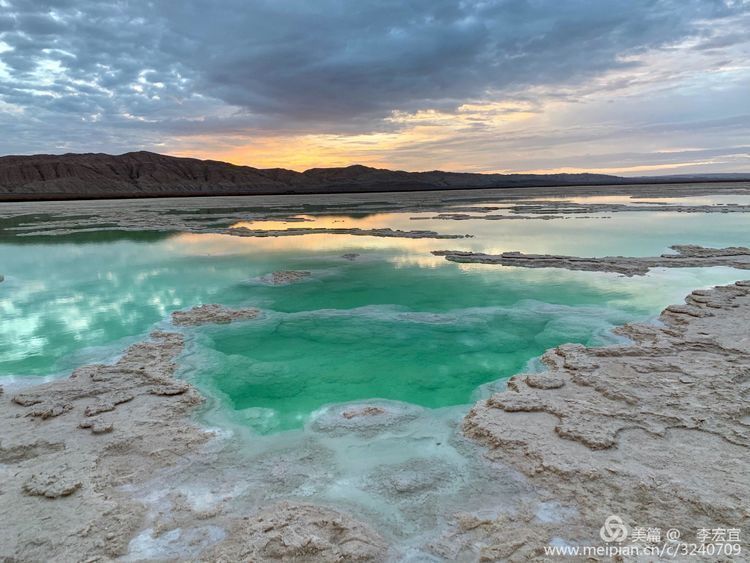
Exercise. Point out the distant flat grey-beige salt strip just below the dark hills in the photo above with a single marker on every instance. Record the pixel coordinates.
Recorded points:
(217, 214)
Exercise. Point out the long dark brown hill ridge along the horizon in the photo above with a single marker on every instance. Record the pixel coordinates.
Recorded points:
(146, 174)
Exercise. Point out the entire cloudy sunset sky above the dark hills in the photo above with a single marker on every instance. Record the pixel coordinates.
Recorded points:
(631, 87)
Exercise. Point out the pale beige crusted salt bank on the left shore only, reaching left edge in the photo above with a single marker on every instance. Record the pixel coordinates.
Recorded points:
(62, 467)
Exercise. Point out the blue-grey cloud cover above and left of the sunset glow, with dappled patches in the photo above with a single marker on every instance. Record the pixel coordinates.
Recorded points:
(199, 66)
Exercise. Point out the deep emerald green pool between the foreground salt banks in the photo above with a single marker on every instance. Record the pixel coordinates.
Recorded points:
(276, 371)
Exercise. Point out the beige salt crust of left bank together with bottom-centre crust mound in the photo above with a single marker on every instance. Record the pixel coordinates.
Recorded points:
(73, 448)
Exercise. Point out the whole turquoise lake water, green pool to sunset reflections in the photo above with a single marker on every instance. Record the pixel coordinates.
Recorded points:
(396, 324)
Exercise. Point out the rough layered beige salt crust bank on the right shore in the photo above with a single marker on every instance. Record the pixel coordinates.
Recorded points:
(656, 431)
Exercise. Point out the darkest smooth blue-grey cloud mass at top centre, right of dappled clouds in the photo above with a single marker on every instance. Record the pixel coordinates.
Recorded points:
(334, 60)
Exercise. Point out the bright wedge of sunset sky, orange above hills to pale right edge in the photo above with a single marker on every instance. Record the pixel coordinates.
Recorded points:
(602, 127)
